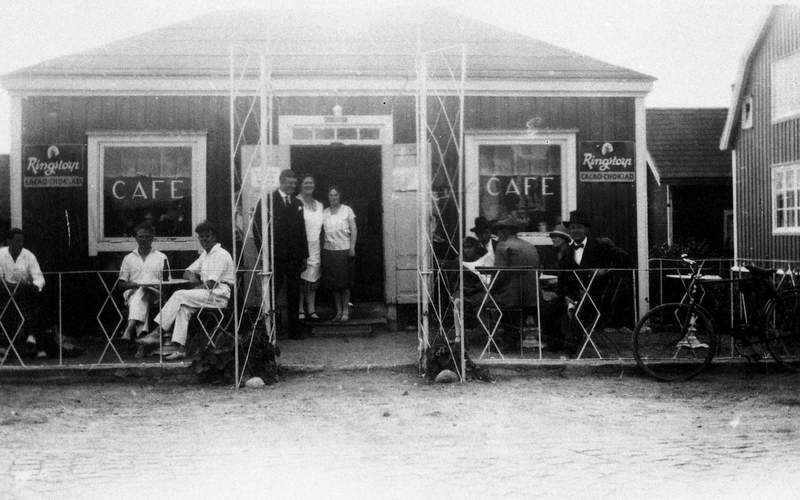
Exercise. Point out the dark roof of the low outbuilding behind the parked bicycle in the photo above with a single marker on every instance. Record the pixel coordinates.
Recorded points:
(684, 143)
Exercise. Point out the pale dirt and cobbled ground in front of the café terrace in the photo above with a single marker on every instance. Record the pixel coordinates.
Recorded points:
(385, 434)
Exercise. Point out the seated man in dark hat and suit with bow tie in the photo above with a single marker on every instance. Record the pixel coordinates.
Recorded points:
(587, 255)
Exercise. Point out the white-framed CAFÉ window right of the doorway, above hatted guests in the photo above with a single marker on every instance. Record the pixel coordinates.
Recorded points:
(523, 176)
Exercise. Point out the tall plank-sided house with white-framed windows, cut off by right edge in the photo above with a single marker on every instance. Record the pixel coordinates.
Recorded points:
(763, 130)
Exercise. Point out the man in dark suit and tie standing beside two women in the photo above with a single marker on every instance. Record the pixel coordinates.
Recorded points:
(290, 246)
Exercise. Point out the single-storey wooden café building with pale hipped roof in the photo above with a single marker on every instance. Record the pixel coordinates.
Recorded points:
(141, 128)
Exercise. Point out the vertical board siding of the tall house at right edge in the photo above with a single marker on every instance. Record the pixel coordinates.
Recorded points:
(765, 145)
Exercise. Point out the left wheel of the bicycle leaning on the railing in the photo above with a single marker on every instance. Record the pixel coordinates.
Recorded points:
(674, 342)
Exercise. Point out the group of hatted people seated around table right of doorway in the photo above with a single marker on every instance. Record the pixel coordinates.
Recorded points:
(574, 258)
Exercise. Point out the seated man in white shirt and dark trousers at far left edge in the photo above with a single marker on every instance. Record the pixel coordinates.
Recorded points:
(23, 279)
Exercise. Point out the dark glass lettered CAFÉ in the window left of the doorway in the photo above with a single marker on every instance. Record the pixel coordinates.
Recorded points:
(147, 184)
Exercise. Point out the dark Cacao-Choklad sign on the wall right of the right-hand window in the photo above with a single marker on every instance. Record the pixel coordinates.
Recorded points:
(607, 161)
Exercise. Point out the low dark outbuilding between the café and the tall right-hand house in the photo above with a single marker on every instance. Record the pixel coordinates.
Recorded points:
(689, 183)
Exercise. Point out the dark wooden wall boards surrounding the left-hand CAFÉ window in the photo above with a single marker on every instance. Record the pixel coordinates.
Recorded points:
(65, 120)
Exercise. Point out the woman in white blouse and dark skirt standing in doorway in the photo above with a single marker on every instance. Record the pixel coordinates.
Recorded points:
(339, 251)
